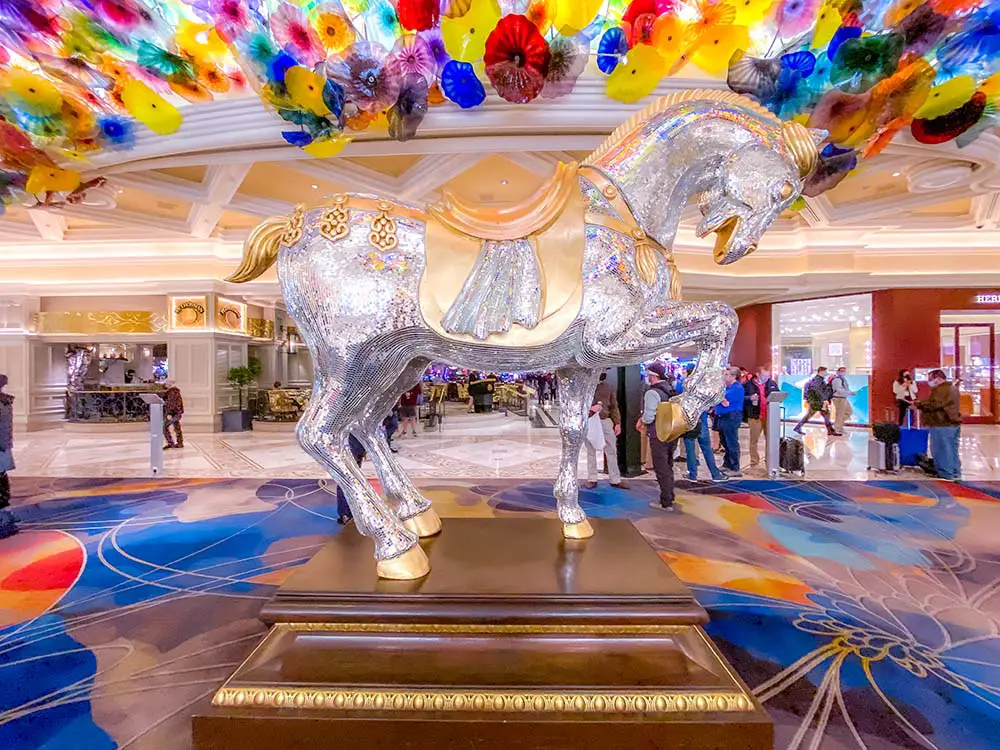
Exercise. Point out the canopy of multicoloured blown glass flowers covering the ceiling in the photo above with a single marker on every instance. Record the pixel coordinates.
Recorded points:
(78, 76)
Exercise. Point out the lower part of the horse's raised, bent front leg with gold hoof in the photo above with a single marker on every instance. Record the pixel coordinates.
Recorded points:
(704, 387)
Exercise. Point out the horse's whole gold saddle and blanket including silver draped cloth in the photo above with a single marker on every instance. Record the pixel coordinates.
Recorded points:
(508, 276)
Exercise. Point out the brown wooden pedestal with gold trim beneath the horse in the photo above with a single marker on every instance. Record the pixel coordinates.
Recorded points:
(517, 639)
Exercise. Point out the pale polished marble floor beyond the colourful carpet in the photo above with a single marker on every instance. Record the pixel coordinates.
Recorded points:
(468, 445)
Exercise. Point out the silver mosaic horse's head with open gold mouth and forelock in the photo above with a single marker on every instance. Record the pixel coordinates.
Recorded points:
(753, 185)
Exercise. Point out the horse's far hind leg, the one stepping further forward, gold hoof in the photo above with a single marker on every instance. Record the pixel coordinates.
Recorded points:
(415, 510)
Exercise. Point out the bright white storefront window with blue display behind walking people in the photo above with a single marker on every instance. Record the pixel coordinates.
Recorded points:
(832, 332)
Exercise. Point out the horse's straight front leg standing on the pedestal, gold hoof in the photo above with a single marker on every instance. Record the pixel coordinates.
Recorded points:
(576, 392)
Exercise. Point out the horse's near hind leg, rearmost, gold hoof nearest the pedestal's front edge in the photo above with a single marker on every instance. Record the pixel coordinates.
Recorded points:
(322, 433)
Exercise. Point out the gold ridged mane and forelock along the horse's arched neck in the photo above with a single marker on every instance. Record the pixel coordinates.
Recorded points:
(796, 137)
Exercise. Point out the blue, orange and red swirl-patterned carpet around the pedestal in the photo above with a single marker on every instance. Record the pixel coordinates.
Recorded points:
(864, 615)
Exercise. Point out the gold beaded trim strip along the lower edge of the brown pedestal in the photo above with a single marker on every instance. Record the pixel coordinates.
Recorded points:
(645, 702)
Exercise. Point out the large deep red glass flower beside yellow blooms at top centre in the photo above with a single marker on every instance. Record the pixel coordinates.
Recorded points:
(517, 59)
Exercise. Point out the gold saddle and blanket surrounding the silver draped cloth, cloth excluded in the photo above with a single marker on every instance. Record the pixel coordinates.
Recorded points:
(458, 233)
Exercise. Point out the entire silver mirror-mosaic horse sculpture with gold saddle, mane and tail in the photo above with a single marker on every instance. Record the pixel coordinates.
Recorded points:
(577, 279)
